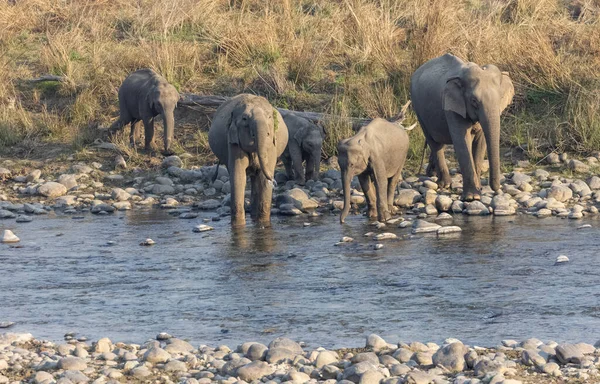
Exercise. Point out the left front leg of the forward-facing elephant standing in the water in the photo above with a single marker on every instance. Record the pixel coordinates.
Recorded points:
(237, 165)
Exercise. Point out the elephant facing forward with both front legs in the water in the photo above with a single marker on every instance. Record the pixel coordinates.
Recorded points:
(248, 135)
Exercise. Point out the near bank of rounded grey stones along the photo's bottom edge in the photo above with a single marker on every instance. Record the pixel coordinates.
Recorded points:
(166, 359)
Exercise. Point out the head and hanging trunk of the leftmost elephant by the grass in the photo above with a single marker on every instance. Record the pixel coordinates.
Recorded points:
(162, 100)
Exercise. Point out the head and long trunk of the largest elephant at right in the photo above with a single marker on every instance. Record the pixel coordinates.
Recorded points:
(480, 94)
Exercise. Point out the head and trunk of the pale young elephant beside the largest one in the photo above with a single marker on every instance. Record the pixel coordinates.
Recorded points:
(353, 158)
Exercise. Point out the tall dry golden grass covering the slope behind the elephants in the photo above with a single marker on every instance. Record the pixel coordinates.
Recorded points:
(348, 57)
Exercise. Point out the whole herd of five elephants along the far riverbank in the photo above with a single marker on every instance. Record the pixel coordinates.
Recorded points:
(456, 103)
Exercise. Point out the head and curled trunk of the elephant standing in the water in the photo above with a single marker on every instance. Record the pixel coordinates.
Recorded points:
(253, 128)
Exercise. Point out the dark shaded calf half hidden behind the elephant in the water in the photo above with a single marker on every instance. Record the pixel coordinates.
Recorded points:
(305, 143)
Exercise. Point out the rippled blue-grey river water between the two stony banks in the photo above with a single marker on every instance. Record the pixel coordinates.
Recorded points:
(494, 281)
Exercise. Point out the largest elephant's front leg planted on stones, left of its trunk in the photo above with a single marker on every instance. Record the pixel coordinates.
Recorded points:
(462, 140)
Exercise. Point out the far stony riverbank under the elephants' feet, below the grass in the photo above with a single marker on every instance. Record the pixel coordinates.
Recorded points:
(564, 188)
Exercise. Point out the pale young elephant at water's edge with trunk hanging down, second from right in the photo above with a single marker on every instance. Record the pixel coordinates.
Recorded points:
(376, 154)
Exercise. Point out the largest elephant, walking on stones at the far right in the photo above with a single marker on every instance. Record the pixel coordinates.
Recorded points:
(460, 103)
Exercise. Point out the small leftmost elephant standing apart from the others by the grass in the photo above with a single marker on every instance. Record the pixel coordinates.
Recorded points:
(144, 95)
